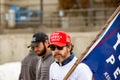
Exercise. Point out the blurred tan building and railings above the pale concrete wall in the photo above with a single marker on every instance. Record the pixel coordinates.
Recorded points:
(78, 14)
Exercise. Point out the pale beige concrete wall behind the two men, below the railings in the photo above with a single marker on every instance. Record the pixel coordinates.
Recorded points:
(13, 47)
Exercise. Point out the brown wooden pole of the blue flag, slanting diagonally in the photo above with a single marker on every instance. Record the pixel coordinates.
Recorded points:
(84, 53)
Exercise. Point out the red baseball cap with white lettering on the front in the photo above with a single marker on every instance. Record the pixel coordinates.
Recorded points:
(60, 38)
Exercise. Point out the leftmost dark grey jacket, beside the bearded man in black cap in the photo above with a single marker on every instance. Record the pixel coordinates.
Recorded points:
(28, 67)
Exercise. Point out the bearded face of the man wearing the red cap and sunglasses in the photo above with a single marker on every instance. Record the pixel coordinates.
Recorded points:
(60, 53)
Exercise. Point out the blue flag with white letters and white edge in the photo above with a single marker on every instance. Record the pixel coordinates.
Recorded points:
(104, 56)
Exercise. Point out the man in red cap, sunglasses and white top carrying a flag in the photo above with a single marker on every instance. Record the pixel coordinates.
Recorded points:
(61, 47)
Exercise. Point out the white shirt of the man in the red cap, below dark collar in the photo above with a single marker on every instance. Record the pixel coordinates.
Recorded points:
(58, 72)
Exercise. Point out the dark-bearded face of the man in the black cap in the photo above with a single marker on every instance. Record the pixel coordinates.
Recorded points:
(40, 49)
